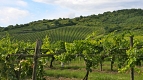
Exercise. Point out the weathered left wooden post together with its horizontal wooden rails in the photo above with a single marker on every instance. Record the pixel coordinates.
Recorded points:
(37, 54)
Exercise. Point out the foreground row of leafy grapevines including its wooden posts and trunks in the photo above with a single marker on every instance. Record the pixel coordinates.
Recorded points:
(21, 60)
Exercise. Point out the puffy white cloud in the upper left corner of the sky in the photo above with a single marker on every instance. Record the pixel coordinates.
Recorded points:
(12, 12)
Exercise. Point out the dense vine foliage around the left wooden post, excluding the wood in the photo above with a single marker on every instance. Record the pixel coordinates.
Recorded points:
(17, 67)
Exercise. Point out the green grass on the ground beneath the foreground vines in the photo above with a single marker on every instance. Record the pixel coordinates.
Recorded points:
(76, 69)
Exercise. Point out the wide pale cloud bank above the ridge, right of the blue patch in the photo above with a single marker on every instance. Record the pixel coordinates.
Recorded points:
(74, 8)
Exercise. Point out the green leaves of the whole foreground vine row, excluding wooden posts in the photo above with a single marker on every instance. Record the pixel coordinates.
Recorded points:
(113, 46)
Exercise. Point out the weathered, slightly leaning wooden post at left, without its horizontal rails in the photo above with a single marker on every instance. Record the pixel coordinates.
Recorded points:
(35, 58)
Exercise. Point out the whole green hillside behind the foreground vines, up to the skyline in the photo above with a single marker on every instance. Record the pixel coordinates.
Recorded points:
(78, 28)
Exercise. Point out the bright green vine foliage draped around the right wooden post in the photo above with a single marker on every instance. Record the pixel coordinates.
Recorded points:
(135, 56)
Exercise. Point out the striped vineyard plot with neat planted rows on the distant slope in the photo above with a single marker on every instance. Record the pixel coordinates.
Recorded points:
(67, 34)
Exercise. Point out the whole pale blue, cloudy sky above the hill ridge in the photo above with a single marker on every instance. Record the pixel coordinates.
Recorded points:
(14, 12)
